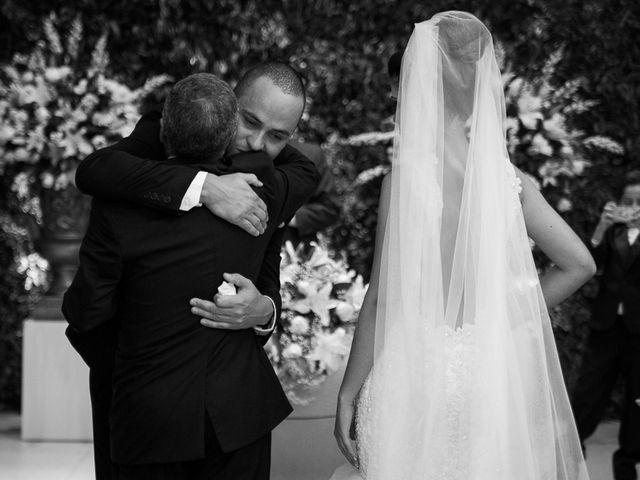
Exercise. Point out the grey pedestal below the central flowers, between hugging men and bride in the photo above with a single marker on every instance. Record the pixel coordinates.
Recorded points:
(303, 446)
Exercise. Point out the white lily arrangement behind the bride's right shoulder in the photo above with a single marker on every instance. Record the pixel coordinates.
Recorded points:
(539, 136)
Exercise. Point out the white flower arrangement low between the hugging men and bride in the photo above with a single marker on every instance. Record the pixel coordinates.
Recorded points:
(321, 299)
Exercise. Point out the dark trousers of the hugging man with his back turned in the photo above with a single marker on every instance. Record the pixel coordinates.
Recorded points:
(251, 462)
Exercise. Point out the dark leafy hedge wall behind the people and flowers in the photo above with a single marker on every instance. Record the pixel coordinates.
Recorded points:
(341, 48)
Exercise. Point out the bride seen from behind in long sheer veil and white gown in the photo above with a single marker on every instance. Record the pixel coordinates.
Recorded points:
(453, 372)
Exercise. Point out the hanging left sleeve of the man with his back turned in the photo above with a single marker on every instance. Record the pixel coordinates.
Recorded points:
(89, 304)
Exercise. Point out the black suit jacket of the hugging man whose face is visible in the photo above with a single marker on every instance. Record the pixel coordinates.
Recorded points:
(133, 170)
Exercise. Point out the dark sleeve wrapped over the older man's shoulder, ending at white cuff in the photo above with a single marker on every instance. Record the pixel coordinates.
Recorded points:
(130, 171)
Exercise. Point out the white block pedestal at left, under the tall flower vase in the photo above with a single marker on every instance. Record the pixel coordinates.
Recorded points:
(55, 385)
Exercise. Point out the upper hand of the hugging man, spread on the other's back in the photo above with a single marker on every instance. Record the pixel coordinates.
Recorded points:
(231, 198)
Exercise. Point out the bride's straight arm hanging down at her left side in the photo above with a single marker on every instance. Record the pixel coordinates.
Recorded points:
(361, 356)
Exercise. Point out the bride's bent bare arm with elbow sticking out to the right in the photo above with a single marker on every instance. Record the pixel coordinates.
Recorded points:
(573, 264)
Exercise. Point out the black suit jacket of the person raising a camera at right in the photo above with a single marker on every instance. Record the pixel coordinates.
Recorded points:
(619, 280)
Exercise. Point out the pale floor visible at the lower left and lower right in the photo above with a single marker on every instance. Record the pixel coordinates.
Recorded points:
(21, 460)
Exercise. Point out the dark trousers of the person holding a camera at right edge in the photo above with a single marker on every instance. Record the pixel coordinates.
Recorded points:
(610, 354)
